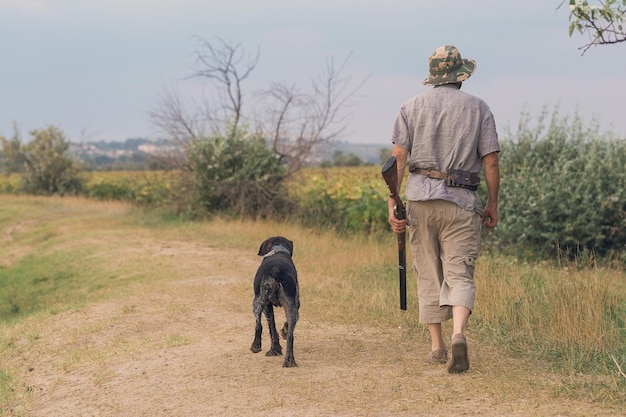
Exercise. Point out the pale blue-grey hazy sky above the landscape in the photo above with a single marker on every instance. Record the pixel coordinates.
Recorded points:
(96, 68)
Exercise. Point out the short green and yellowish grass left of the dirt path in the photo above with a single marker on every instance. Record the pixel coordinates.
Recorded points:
(62, 253)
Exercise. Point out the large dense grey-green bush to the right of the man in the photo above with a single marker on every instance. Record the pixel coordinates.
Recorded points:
(563, 190)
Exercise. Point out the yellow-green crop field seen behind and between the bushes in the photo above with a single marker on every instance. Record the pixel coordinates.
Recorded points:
(344, 199)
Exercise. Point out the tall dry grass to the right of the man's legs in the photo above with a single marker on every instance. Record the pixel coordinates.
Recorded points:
(568, 318)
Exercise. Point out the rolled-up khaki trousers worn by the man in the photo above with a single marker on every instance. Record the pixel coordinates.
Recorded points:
(445, 240)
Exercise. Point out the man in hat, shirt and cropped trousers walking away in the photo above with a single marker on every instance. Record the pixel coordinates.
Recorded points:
(446, 136)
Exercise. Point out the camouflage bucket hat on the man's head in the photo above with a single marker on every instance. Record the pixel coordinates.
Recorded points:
(446, 66)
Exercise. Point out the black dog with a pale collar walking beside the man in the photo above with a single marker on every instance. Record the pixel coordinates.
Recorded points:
(276, 285)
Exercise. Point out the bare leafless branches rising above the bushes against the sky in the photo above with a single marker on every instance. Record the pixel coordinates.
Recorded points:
(297, 123)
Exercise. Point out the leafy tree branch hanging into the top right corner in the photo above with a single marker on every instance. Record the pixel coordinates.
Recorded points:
(601, 23)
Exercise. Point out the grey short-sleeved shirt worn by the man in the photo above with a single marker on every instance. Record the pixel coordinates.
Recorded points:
(445, 128)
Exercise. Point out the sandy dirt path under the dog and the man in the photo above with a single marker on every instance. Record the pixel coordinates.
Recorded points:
(182, 349)
